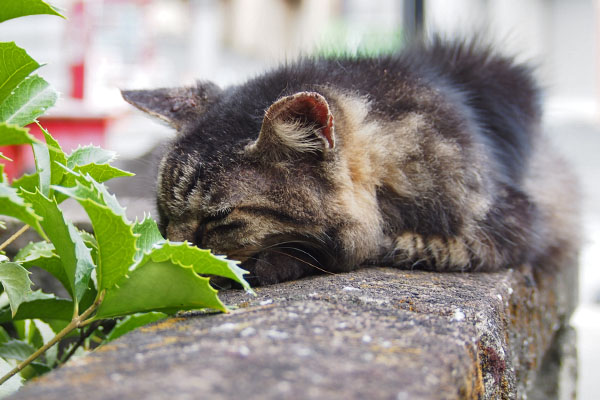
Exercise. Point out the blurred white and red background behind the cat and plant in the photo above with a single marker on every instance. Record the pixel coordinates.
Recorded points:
(110, 44)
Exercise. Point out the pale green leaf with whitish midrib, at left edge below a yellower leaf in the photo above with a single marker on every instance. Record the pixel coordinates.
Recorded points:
(28, 101)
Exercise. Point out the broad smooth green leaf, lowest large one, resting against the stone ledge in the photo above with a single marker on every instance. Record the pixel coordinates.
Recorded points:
(156, 287)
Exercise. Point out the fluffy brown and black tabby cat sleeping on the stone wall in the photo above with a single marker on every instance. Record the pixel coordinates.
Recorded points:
(432, 158)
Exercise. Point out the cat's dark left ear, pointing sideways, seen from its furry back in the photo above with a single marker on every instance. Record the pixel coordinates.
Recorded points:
(179, 107)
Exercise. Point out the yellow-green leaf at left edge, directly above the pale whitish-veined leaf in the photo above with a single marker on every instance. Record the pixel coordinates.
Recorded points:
(15, 66)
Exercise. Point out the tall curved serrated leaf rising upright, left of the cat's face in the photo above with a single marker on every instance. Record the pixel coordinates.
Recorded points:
(114, 234)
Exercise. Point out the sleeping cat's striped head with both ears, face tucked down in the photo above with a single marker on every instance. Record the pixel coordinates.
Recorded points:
(261, 181)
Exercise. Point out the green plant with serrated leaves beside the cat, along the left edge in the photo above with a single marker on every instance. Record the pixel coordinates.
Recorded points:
(125, 269)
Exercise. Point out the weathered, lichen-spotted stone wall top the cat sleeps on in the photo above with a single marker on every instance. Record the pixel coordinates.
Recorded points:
(376, 333)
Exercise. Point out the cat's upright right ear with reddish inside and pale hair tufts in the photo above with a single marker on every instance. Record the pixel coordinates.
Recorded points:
(301, 123)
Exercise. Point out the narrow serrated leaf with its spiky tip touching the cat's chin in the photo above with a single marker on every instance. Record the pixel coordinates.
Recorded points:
(202, 261)
